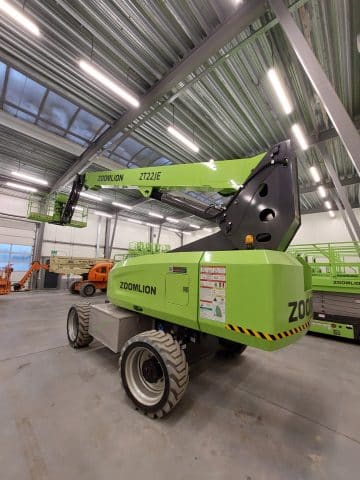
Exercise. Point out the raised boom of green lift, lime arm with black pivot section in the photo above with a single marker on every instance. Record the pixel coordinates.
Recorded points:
(264, 198)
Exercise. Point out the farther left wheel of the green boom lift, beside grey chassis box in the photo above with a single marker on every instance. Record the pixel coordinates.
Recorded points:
(77, 326)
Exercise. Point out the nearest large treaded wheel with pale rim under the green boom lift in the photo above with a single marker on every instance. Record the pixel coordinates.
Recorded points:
(154, 372)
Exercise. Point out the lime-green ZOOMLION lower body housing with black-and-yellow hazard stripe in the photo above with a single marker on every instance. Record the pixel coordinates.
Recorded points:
(255, 290)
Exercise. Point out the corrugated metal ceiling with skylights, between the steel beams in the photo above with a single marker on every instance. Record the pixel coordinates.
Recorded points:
(226, 104)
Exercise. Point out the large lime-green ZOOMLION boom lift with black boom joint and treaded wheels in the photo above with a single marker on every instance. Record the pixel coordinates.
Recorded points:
(237, 284)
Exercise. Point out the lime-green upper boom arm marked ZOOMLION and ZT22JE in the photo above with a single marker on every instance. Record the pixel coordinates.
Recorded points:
(222, 176)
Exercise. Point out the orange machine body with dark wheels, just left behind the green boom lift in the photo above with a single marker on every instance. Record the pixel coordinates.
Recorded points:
(96, 278)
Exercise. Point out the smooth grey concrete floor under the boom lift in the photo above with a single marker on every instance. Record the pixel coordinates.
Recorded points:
(292, 414)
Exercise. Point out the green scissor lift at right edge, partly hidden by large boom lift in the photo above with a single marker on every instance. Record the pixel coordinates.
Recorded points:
(335, 269)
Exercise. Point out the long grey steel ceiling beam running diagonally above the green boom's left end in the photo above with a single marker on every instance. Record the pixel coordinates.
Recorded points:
(246, 14)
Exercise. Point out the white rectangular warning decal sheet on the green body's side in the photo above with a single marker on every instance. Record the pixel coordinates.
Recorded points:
(212, 292)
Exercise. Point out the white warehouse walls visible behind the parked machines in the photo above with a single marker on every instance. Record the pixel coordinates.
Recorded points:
(81, 242)
